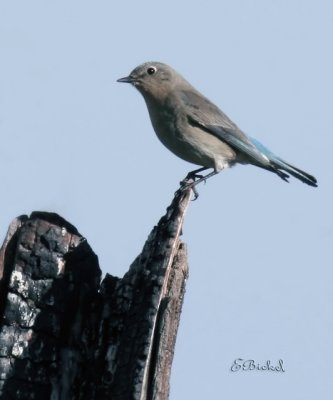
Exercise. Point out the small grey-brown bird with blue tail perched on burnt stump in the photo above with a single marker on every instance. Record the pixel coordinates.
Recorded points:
(197, 131)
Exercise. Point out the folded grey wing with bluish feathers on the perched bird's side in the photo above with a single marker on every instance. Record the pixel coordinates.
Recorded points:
(204, 114)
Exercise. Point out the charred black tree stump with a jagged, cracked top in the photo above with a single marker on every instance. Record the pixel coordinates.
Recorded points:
(64, 334)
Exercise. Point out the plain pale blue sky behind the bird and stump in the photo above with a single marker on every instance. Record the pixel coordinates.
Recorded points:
(77, 143)
